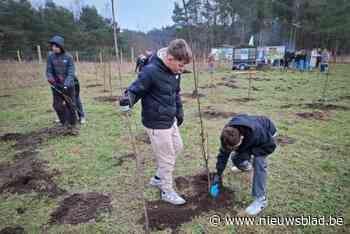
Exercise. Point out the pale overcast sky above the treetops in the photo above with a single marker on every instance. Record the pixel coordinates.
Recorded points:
(142, 15)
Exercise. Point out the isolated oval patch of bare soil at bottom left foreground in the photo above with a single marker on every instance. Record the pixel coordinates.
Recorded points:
(81, 208)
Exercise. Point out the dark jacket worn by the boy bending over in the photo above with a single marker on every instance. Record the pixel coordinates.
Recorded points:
(258, 141)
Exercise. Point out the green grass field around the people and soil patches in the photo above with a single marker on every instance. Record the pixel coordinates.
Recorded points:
(309, 174)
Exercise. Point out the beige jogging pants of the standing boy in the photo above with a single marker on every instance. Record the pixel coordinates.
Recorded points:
(166, 144)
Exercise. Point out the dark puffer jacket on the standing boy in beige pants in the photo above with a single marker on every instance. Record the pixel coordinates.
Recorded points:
(159, 91)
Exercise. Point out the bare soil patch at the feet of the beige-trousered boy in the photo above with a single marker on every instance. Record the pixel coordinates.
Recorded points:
(194, 189)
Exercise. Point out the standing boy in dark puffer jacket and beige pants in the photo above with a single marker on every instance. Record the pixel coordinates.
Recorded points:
(158, 88)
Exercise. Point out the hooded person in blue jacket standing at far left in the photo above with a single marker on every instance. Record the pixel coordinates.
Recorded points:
(60, 73)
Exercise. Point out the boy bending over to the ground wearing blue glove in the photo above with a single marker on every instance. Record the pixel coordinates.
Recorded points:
(246, 139)
